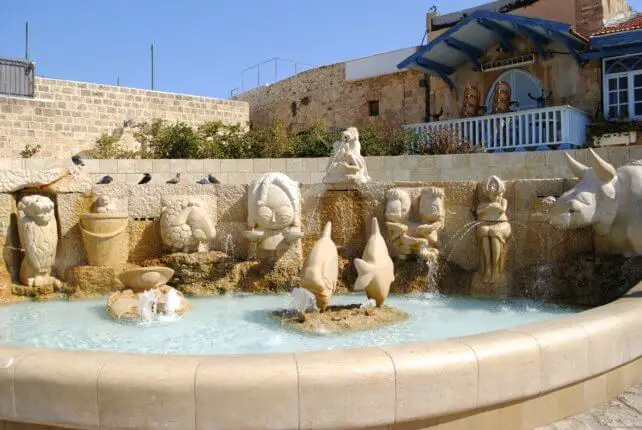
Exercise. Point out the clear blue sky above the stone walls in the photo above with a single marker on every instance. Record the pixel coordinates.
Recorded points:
(203, 46)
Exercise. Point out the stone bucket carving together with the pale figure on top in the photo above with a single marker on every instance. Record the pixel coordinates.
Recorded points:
(104, 234)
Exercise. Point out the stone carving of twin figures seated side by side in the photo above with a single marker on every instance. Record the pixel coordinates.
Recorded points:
(407, 237)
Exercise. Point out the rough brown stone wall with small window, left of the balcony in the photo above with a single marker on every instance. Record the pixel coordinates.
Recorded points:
(324, 93)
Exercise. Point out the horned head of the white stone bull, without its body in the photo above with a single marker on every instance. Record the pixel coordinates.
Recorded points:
(592, 201)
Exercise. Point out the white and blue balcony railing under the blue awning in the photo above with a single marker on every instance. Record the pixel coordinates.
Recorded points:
(552, 127)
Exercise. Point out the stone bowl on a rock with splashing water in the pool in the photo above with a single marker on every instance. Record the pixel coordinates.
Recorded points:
(146, 295)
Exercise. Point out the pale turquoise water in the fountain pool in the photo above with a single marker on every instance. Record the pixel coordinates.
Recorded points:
(239, 324)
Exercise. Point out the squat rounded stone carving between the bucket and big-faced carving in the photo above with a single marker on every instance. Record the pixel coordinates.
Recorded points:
(186, 226)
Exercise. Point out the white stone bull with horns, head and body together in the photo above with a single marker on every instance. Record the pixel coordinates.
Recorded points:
(607, 199)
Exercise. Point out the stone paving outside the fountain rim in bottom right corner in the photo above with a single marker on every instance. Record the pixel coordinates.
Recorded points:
(623, 412)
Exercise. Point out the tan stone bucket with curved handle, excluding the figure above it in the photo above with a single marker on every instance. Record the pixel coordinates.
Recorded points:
(103, 235)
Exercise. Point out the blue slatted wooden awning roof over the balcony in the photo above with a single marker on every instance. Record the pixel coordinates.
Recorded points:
(467, 41)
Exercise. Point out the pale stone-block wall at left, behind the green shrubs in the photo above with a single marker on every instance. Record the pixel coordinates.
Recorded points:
(66, 117)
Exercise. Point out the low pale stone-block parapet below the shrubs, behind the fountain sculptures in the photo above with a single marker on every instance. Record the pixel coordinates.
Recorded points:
(473, 167)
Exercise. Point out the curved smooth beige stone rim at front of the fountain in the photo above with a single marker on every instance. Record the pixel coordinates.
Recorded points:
(405, 383)
